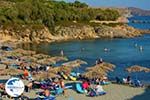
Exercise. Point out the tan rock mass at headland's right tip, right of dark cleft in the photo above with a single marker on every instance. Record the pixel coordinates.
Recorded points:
(117, 32)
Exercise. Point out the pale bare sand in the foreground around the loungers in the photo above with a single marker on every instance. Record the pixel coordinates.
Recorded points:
(114, 92)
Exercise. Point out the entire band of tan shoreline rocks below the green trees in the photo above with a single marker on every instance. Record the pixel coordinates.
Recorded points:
(63, 33)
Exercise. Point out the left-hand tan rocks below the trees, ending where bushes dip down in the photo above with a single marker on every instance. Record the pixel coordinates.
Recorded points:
(26, 35)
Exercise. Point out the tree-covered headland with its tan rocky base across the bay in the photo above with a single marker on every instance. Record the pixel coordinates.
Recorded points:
(43, 21)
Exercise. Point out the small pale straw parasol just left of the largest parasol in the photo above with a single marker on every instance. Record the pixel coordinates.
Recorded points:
(75, 63)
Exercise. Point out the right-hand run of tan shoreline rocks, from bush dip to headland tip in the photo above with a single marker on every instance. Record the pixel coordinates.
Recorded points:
(86, 32)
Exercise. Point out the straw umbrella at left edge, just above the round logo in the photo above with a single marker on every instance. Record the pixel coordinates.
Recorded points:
(11, 71)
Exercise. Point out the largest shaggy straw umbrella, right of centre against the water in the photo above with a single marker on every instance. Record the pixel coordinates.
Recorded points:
(99, 70)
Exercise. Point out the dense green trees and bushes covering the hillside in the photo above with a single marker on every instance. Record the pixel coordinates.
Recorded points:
(50, 13)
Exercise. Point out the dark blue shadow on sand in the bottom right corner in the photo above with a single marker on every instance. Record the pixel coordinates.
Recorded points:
(144, 96)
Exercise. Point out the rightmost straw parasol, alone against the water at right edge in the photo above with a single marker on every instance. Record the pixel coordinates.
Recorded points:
(137, 68)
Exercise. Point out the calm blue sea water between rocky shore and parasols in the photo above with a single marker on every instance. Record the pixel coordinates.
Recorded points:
(122, 53)
